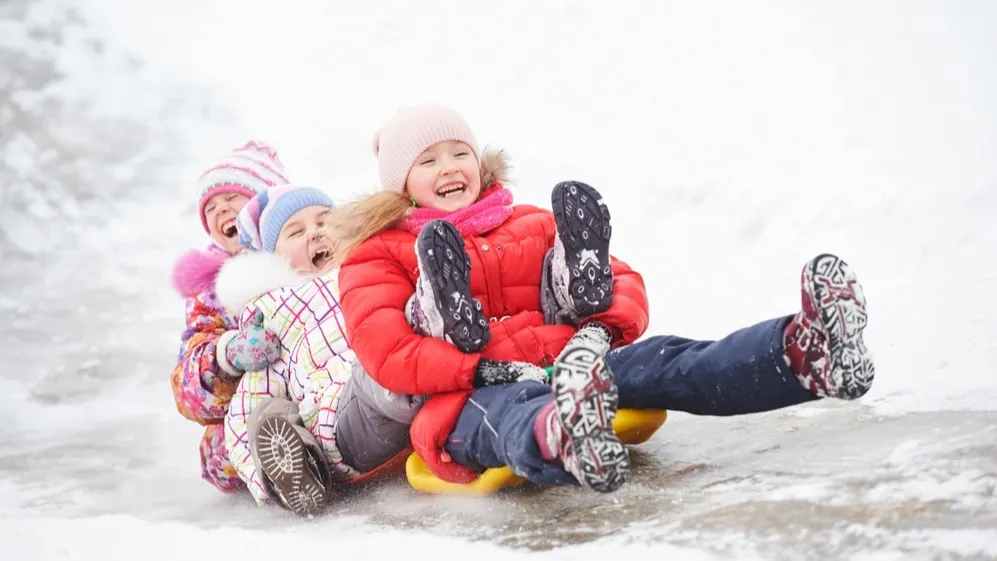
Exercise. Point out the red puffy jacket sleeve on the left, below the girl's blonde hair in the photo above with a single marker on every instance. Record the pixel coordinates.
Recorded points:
(374, 290)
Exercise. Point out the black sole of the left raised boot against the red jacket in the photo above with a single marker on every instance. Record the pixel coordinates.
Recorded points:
(445, 264)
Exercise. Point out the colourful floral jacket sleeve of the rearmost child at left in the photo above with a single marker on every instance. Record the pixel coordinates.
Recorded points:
(200, 388)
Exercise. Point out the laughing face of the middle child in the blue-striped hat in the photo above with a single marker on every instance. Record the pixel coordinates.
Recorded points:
(304, 240)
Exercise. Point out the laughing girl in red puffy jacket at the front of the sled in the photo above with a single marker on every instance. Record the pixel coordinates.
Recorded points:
(516, 288)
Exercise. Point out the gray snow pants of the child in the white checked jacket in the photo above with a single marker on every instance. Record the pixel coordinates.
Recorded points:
(373, 423)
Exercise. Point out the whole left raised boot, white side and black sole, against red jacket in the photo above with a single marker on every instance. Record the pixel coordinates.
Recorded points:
(442, 306)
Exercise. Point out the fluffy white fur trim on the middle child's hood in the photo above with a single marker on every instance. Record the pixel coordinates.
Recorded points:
(246, 276)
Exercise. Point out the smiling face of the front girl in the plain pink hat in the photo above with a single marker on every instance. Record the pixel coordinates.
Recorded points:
(445, 177)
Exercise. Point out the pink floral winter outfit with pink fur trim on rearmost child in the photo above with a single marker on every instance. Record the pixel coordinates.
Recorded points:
(202, 390)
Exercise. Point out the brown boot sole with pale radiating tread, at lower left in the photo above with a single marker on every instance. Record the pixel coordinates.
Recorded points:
(284, 460)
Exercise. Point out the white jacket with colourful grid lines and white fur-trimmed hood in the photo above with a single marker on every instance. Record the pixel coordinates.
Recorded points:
(315, 362)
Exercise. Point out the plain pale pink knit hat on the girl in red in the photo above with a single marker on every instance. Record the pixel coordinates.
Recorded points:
(409, 133)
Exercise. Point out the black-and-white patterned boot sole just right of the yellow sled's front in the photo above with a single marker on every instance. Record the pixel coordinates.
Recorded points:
(586, 401)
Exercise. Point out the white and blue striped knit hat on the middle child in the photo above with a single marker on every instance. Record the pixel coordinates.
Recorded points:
(260, 221)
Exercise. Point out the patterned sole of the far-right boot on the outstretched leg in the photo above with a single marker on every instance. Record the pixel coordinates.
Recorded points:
(835, 299)
